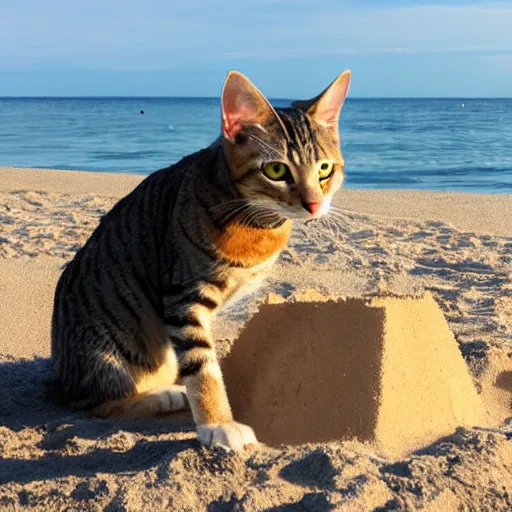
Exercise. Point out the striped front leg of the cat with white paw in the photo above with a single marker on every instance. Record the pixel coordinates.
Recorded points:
(189, 332)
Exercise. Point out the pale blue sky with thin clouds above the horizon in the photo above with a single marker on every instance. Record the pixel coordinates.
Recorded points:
(288, 48)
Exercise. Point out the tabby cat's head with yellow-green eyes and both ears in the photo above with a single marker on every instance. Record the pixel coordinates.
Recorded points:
(285, 160)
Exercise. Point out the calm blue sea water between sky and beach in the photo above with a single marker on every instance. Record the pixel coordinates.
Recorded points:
(431, 144)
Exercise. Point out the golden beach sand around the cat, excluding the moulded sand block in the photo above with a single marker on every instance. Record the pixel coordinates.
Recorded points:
(457, 246)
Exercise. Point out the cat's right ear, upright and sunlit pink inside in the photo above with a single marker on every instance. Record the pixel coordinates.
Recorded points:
(326, 107)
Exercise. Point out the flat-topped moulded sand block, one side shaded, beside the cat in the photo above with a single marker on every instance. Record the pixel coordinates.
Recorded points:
(383, 370)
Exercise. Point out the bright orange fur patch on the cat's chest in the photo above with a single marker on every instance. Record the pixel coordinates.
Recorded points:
(248, 246)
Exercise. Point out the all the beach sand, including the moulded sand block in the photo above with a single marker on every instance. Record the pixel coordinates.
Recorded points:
(389, 244)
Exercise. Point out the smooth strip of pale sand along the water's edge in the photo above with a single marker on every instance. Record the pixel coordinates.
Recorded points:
(467, 211)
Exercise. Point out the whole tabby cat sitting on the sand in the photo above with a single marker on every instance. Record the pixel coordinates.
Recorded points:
(132, 312)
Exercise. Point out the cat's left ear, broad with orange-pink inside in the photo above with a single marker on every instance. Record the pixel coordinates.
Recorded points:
(242, 104)
